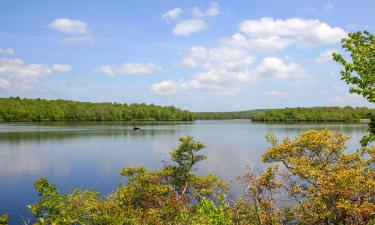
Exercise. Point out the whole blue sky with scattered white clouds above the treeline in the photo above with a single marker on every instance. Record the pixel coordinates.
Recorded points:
(194, 54)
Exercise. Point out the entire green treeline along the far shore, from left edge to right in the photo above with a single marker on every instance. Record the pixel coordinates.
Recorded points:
(15, 109)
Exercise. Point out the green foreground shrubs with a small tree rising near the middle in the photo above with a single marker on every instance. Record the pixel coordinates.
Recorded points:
(172, 195)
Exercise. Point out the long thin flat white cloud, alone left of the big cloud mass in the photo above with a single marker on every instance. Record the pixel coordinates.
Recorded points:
(129, 69)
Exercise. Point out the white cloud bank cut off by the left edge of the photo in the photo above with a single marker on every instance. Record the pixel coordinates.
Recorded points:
(21, 75)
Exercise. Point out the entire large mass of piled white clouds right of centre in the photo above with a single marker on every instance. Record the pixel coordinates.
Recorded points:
(229, 67)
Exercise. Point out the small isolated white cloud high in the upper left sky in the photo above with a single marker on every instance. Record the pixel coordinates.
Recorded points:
(70, 26)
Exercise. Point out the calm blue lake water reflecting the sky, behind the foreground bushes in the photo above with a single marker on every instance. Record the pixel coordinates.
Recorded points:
(91, 154)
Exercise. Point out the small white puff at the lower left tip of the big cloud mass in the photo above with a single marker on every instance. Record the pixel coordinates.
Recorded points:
(168, 87)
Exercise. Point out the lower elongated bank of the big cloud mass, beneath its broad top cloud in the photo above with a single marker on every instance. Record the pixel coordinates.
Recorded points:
(226, 81)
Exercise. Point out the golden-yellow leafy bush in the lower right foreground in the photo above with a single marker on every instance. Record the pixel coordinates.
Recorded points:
(328, 184)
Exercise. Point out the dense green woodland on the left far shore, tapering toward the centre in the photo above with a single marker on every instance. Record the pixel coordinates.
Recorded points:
(22, 109)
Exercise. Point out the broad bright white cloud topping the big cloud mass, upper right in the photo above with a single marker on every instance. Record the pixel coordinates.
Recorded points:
(303, 32)
